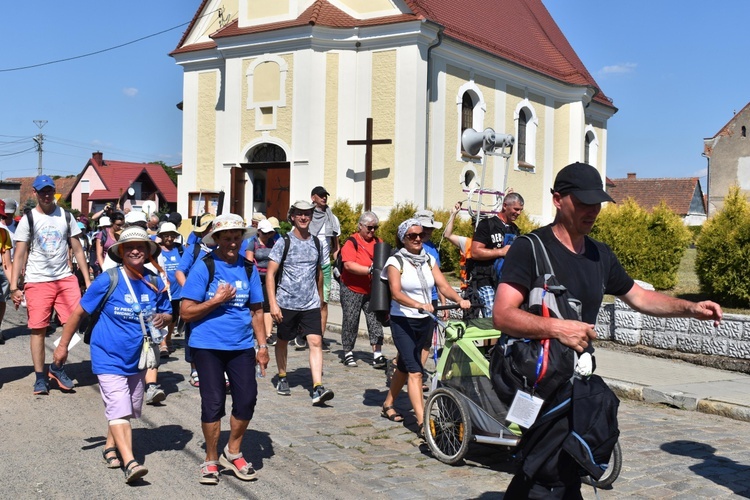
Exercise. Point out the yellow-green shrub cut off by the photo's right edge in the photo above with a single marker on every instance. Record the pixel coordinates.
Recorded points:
(723, 251)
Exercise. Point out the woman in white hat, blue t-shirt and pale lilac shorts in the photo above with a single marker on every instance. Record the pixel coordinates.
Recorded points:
(117, 339)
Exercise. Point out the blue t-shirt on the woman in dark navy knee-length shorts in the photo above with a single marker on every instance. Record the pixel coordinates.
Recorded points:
(229, 326)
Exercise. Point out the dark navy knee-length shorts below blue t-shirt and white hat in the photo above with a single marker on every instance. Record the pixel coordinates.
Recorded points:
(239, 366)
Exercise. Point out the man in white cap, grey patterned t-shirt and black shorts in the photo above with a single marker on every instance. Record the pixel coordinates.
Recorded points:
(295, 303)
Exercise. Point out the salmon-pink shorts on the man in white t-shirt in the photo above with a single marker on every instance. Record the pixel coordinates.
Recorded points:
(64, 295)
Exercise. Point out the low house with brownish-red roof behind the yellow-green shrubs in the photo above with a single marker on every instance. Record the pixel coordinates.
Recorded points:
(683, 195)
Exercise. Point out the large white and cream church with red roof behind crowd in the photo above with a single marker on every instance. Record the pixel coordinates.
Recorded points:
(280, 96)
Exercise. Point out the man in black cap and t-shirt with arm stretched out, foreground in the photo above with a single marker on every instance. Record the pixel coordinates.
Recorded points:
(588, 269)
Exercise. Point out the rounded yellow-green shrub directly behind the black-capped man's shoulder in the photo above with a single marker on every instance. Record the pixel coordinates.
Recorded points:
(649, 245)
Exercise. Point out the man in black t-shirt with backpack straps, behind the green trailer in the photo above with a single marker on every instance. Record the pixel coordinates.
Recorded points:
(492, 239)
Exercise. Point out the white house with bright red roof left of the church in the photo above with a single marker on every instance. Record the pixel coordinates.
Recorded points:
(122, 183)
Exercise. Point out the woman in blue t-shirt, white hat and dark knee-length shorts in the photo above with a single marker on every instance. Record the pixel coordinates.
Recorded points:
(223, 301)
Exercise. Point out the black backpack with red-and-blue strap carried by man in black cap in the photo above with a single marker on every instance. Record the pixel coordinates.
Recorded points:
(542, 366)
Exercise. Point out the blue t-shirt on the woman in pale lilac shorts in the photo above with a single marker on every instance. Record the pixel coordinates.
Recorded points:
(117, 337)
